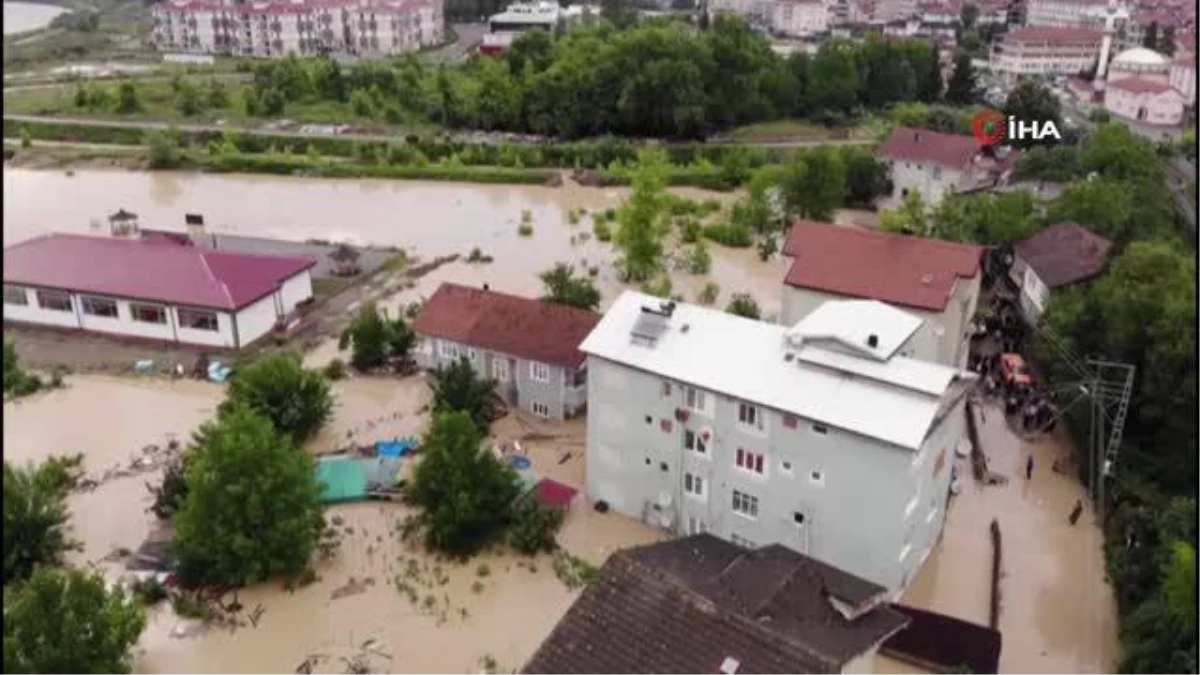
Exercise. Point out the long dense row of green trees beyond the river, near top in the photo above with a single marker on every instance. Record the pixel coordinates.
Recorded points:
(658, 79)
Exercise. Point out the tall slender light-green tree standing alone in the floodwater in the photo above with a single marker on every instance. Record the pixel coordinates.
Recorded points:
(641, 224)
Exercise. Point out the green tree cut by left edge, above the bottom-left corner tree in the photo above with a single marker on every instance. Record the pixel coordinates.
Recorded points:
(35, 518)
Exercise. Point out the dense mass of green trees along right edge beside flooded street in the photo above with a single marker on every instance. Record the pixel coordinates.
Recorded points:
(1143, 313)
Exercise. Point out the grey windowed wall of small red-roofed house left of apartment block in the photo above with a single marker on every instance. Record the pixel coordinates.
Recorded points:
(518, 387)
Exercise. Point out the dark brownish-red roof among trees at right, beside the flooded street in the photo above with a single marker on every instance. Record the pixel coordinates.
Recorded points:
(1065, 254)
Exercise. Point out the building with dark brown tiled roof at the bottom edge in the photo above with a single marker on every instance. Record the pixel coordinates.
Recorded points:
(701, 605)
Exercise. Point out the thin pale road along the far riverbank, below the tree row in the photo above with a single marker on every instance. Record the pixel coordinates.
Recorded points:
(373, 138)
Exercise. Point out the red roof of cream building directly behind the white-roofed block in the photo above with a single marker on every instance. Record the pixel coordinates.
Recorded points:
(865, 264)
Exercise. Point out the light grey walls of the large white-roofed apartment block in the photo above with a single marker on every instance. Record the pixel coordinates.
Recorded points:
(854, 513)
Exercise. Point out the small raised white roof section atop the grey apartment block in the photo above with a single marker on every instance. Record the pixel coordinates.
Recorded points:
(851, 324)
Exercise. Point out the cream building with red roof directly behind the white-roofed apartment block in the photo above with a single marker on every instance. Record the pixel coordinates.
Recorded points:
(937, 282)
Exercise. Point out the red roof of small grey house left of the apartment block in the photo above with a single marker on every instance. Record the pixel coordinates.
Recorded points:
(512, 325)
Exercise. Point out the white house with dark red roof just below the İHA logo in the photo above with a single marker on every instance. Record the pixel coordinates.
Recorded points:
(939, 165)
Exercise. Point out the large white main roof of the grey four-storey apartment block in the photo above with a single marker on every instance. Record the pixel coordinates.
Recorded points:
(895, 402)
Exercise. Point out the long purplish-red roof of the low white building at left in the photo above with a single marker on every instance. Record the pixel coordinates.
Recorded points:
(149, 271)
